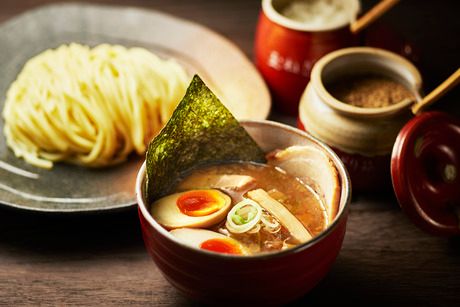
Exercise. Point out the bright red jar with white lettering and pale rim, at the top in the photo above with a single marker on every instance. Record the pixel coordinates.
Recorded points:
(285, 50)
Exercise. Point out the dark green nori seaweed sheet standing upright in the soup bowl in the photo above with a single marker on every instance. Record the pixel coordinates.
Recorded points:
(201, 131)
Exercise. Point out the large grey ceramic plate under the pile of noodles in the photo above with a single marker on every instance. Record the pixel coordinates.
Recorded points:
(68, 188)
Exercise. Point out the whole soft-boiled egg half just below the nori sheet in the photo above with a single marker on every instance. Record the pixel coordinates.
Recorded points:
(192, 209)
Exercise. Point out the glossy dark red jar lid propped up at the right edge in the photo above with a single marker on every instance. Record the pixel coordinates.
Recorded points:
(425, 170)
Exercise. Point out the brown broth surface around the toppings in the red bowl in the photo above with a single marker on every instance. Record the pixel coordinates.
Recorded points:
(297, 197)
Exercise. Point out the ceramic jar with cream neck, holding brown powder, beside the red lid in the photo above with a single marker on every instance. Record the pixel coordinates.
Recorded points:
(363, 137)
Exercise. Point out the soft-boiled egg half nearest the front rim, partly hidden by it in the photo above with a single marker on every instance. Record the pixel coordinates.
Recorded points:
(209, 240)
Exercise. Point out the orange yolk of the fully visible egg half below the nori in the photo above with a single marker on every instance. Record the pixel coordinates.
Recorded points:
(200, 202)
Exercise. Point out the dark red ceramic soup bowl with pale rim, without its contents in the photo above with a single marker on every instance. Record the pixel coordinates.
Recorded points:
(273, 278)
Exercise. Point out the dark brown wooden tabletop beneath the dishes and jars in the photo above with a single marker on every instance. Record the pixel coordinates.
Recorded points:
(100, 259)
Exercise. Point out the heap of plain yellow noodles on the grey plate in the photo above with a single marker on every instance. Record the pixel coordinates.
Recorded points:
(90, 106)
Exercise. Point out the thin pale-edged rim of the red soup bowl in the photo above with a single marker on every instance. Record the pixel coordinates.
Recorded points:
(345, 199)
